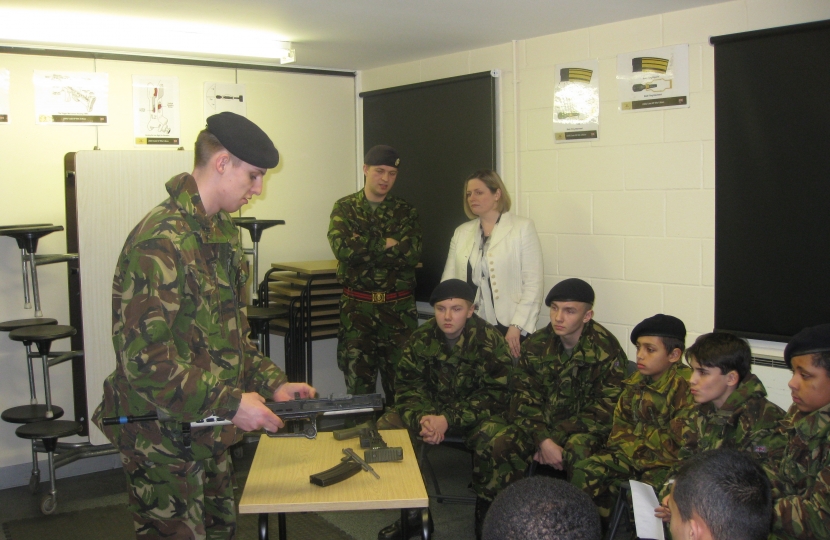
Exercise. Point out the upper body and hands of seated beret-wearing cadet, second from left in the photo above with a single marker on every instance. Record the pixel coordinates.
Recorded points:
(569, 379)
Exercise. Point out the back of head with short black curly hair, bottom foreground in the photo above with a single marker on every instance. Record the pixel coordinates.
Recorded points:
(542, 508)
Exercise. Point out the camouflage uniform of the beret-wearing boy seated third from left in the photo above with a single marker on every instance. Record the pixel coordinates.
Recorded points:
(653, 429)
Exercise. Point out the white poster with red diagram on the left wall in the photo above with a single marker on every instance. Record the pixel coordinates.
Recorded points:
(156, 110)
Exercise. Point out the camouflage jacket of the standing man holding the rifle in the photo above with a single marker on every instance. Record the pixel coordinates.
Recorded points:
(179, 330)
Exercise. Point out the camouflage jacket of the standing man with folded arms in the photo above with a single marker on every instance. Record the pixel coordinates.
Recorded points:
(357, 236)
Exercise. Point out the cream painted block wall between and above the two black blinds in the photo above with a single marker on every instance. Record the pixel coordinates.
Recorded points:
(632, 213)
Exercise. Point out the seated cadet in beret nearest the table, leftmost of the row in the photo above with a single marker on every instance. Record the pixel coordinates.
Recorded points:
(454, 377)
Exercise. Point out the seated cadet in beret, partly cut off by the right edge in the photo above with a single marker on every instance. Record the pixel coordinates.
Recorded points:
(801, 480)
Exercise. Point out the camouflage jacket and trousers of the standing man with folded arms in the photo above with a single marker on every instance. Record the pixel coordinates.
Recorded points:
(371, 335)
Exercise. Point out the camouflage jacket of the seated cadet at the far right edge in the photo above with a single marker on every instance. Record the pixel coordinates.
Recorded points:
(801, 481)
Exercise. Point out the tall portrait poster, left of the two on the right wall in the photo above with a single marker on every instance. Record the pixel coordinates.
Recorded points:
(576, 102)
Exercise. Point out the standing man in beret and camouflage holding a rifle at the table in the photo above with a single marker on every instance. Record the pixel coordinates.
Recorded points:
(181, 341)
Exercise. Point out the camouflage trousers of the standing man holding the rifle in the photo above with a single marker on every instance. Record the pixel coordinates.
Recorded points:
(179, 499)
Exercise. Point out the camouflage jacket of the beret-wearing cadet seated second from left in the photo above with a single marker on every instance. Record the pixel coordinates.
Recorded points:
(557, 396)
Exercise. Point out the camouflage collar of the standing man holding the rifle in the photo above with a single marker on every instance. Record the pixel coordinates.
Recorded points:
(217, 229)
